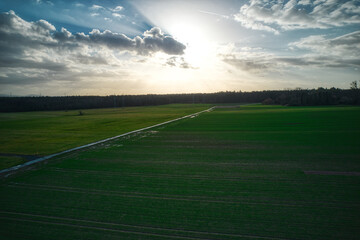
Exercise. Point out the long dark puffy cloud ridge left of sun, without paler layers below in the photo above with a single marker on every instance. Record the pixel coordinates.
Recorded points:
(41, 33)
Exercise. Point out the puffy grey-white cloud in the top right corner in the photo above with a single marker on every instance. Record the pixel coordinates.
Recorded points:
(274, 16)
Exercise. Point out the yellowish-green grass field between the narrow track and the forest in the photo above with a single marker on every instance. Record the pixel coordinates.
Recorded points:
(43, 133)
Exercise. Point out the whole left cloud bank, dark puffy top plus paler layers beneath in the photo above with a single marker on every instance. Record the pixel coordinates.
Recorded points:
(37, 51)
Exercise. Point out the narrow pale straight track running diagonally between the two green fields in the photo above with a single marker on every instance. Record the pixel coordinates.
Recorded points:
(8, 171)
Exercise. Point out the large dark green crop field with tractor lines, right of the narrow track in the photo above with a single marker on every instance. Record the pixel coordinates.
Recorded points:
(252, 172)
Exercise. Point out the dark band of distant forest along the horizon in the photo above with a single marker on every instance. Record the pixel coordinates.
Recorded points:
(295, 97)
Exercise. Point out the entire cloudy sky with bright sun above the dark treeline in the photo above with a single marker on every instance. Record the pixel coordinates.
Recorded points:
(93, 47)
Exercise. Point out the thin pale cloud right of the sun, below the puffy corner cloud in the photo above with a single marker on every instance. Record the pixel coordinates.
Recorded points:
(322, 52)
